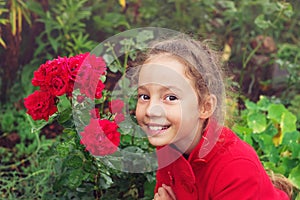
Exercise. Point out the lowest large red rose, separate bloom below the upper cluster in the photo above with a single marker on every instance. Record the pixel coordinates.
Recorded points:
(100, 137)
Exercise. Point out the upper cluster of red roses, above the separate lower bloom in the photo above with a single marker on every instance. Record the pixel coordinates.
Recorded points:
(61, 76)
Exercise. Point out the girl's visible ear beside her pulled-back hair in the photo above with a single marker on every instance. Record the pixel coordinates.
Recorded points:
(208, 106)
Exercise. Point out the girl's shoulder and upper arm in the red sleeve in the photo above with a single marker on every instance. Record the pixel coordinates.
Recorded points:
(238, 171)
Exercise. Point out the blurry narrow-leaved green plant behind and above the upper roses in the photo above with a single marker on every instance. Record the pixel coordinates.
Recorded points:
(64, 33)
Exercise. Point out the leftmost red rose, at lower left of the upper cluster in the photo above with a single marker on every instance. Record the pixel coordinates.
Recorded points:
(40, 105)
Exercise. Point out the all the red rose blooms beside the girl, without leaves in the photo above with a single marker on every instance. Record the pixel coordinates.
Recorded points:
(60, 77)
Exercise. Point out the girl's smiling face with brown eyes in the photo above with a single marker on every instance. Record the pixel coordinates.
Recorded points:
(167, 108)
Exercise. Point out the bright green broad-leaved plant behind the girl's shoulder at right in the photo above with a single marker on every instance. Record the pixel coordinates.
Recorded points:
(271, 129)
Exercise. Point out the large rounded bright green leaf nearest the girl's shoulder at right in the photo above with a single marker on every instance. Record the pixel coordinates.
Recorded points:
(257, 121)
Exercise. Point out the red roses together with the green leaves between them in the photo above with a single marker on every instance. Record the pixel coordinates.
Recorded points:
(79, 81)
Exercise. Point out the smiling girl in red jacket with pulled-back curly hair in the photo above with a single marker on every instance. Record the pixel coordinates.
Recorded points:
(180, 101)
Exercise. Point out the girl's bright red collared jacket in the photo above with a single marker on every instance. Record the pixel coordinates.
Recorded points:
(230, 170)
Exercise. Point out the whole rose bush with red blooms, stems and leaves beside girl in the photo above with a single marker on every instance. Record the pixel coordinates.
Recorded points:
(97, 144)
